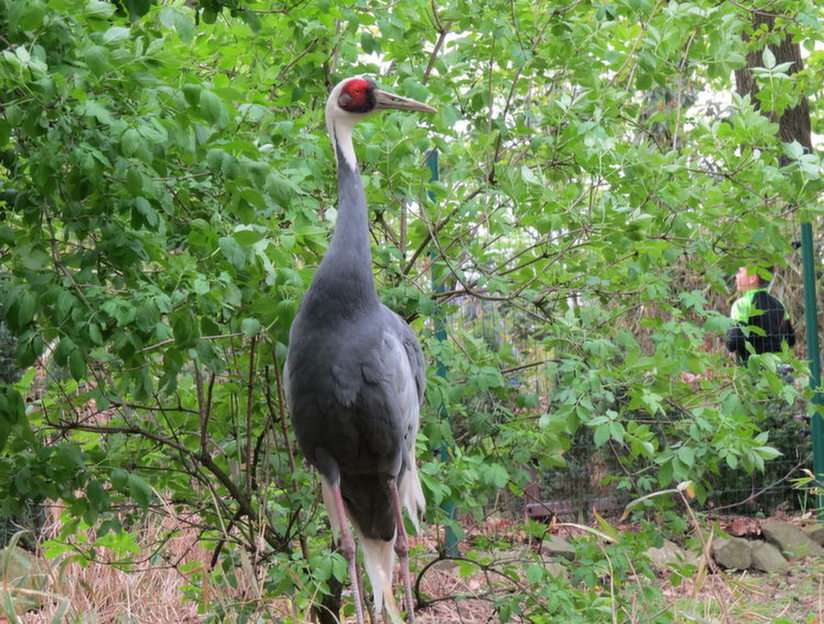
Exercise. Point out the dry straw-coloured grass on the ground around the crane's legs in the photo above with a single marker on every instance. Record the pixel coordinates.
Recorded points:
(150, 591)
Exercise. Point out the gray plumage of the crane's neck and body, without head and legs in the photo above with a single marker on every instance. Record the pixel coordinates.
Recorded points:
(354, 372)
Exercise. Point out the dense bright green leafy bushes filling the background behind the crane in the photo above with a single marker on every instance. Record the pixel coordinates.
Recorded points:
(167, 189)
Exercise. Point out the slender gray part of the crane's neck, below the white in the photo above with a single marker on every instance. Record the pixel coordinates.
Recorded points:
(344, 279)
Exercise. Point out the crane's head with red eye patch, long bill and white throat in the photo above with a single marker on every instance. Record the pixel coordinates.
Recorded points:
(353, 99)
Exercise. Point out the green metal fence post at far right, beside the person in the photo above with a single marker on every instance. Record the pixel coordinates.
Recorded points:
(811, 319)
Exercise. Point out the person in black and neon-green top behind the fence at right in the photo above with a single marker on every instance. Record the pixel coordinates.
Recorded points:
(760, 318)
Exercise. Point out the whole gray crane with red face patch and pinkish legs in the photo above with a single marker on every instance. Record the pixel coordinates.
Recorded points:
(355, 376)
